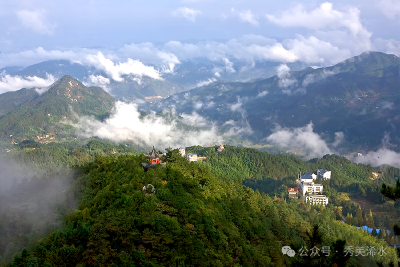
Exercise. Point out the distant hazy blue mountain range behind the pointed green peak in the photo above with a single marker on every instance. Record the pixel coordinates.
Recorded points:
(186, 75)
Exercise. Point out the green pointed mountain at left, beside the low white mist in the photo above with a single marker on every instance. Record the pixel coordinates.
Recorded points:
(44, 114)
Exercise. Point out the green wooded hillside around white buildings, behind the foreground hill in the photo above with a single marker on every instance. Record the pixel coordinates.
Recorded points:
(351, 186)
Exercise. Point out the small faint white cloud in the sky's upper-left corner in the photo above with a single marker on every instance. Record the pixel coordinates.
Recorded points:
(35, 20)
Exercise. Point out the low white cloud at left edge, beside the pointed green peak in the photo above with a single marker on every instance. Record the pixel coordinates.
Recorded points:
(13, 83)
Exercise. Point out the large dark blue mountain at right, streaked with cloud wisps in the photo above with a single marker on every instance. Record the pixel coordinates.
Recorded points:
(359, 97)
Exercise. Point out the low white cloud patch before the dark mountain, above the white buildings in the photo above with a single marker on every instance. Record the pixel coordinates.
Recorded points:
(302, 138)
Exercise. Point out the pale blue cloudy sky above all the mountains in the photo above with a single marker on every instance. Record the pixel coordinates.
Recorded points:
(167, 32)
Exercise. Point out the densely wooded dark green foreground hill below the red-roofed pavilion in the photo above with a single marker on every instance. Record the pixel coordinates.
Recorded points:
(195, 218)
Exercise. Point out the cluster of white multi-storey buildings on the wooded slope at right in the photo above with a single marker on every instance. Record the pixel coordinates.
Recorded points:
(311, 191)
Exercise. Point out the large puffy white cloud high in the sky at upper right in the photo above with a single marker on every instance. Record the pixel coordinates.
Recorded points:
(346, 36)
